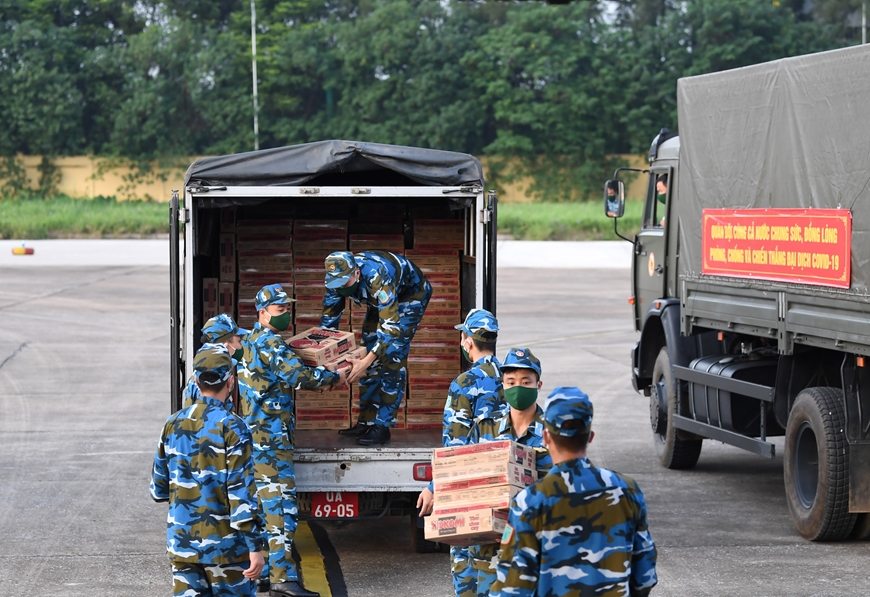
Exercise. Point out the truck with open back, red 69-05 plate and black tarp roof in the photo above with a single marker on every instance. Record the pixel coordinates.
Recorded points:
(351, 181)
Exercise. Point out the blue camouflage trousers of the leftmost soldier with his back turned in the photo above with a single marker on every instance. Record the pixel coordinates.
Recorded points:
(202, 580)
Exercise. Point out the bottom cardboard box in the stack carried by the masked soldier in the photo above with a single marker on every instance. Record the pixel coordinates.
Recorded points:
(463, 527)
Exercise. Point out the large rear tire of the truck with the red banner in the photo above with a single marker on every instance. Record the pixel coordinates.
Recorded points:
(816, 467)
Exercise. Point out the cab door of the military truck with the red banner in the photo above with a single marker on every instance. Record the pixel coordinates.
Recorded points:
(649, 250)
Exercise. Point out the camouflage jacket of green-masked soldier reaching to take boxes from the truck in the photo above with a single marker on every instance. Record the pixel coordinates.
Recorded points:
(267, 374)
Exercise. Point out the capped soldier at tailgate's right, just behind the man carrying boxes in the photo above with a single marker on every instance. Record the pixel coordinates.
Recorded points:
(474, 395)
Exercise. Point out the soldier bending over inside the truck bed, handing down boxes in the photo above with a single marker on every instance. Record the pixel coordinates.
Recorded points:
(396, 294)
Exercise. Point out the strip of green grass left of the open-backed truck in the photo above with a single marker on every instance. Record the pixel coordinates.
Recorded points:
(64, 217)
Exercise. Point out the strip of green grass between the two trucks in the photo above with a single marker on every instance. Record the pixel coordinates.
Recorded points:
(565, 221)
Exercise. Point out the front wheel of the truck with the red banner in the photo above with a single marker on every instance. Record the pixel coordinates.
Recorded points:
(673, 452)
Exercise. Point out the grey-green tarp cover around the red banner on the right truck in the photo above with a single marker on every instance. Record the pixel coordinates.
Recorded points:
(794, 133)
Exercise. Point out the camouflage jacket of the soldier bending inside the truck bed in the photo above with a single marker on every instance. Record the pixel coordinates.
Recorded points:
(386, 280)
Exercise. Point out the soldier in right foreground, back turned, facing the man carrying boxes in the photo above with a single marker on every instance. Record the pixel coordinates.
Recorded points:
(579, 530)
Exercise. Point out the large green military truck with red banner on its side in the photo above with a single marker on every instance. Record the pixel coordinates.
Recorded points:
(751, 279)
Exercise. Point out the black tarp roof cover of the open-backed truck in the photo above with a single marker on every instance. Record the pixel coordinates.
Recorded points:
(297, 165)
